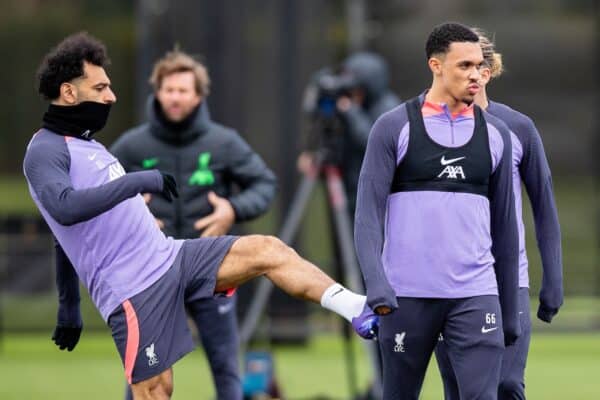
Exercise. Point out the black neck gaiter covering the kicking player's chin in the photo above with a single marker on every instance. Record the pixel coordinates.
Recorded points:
(81, 120)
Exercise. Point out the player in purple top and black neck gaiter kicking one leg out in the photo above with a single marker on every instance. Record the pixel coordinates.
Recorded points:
(138, 279)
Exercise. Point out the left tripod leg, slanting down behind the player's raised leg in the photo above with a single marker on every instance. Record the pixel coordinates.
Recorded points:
(287, 233)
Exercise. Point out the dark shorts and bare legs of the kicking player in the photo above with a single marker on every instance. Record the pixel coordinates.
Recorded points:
(243, 258)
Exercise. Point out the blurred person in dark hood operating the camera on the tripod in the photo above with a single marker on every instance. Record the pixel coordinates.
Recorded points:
(358, 110)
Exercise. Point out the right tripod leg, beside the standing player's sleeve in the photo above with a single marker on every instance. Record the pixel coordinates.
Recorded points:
(345, 242)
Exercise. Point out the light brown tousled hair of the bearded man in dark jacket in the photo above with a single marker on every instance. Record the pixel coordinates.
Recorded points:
(176, 61)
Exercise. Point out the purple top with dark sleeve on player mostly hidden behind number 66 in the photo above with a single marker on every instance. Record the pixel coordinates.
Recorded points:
(530, 167)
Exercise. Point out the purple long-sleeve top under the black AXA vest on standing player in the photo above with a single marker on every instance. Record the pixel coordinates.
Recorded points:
(431, 244)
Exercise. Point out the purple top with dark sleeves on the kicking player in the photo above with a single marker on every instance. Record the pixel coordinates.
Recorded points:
(98, 217)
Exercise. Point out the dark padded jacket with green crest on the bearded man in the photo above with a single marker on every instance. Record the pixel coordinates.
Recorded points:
(204, 157)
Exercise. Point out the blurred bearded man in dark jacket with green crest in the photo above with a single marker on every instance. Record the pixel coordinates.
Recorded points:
(209, 161)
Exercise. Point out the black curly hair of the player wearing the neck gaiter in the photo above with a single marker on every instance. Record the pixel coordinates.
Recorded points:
(65, 62)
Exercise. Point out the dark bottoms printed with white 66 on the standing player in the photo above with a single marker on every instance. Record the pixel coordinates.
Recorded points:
(471, 329)
